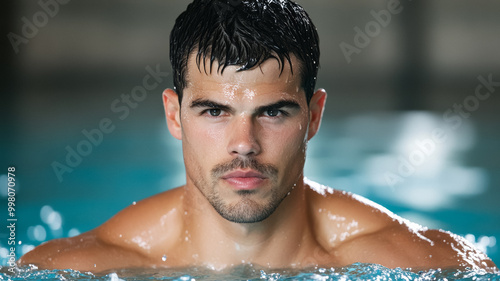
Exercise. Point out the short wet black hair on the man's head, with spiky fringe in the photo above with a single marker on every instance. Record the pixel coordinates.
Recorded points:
(244, 33)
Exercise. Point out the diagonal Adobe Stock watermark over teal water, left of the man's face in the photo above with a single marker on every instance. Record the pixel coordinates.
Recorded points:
(122, 107)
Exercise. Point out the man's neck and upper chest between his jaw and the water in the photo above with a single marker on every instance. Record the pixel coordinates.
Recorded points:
(273, 242)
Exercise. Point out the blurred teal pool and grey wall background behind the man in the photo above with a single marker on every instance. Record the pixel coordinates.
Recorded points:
(396, 86)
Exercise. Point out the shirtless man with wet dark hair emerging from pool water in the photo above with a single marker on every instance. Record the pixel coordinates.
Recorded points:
(244, 107)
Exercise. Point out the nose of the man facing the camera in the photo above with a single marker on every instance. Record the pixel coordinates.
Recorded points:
(243, 137)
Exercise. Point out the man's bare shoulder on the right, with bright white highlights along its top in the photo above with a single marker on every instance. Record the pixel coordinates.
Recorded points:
(355, 229)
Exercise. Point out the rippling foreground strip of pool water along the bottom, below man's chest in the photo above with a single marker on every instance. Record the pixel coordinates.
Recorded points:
(357, 271)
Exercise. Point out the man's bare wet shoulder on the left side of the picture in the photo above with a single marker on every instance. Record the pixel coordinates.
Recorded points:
(128, 239)
